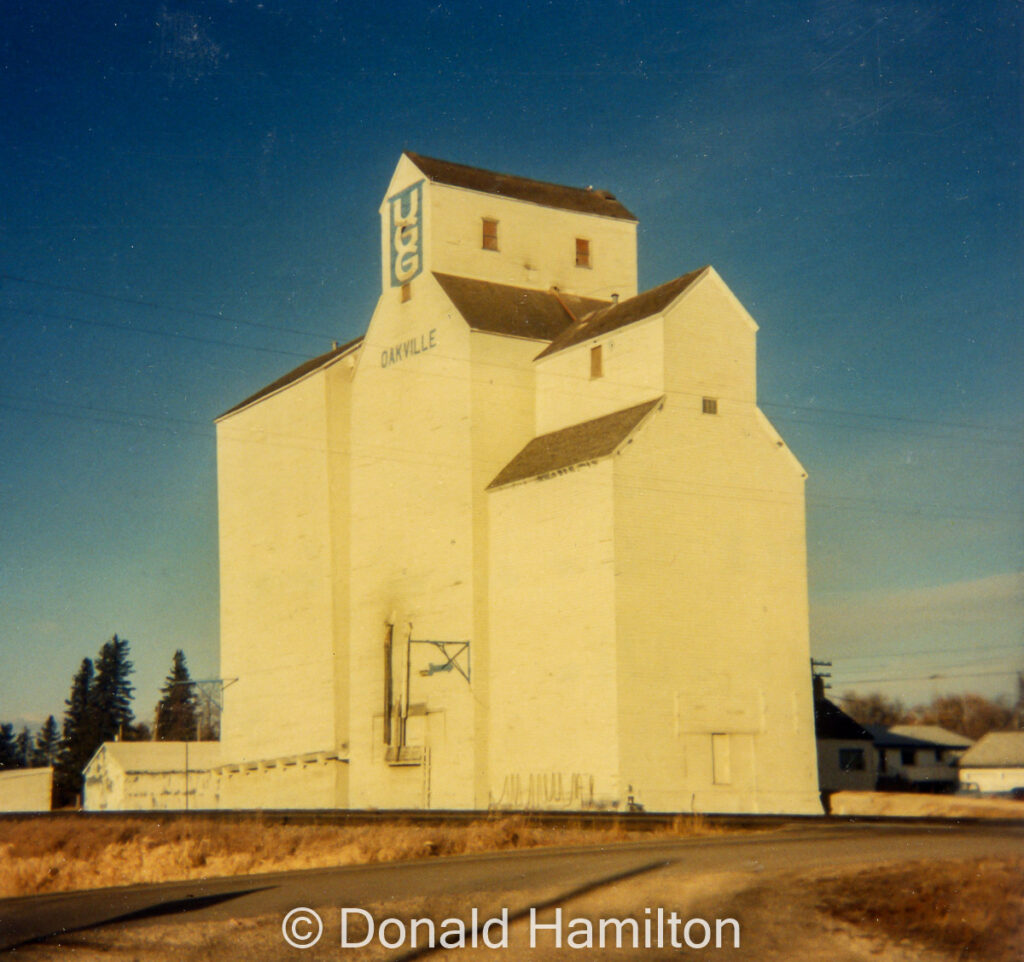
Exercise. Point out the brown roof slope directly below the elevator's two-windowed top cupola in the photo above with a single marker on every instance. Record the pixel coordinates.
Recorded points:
(502, 309)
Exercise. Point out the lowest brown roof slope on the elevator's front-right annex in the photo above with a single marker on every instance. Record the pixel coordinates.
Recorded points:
(574, 446)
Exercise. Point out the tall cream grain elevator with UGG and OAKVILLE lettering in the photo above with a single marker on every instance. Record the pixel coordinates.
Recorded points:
(528, 543)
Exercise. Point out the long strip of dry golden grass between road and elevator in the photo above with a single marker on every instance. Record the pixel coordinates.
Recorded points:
(59, 855)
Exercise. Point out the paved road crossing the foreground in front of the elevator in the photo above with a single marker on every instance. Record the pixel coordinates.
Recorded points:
(519, 875)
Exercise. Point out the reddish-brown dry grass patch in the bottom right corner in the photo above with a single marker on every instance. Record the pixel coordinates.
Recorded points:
(972, 909)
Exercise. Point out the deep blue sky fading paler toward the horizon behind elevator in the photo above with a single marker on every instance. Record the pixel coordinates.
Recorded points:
(189, 200)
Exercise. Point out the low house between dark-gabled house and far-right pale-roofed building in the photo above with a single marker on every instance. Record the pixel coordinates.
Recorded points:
(918, 758)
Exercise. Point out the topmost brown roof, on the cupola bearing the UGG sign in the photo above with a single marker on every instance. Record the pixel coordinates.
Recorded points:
(583, 200)
